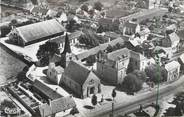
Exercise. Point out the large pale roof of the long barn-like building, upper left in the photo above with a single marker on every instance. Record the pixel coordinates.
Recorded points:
(40, 30)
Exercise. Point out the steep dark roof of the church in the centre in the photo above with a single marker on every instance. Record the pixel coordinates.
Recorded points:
(77, 72)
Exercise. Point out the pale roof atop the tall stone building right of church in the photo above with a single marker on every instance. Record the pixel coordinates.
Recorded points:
(118, 54)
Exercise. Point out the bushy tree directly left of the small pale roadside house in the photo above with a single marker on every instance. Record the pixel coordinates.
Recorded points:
(153, 71)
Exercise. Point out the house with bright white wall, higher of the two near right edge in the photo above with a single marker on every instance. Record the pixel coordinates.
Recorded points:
(171, 40)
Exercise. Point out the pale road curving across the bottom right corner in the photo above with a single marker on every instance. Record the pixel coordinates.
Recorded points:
(121, 108)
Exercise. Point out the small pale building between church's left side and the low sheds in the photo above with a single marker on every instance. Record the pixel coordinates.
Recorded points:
(54, 73)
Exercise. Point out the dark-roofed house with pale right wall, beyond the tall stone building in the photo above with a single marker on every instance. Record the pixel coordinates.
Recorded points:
(130, 28)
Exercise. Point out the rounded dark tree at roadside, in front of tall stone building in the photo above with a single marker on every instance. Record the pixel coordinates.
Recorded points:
(131, 83)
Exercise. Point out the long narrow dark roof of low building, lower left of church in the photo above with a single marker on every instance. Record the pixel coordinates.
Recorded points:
(47, 91)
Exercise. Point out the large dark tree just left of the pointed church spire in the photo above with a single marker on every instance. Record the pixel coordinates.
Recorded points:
(47, 50)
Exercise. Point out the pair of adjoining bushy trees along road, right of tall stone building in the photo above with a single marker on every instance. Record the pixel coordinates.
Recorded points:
(133, 82)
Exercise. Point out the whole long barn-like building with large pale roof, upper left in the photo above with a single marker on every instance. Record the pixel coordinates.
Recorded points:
(33, 33)
